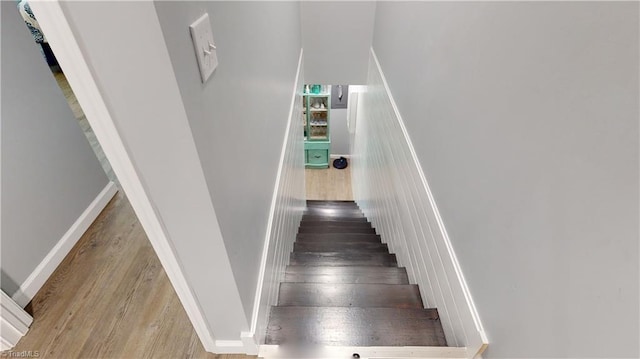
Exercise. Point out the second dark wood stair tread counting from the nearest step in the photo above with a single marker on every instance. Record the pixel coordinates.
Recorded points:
(349, 295)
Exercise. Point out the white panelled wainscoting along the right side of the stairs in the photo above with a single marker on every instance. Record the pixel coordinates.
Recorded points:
(391, 188)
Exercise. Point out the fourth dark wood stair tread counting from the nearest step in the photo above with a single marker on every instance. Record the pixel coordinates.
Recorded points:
(343, 259)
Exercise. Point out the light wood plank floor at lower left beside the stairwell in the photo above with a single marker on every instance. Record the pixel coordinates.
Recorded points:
(110, 298)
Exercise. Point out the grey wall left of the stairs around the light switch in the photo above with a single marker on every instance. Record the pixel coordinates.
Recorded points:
(239, 116)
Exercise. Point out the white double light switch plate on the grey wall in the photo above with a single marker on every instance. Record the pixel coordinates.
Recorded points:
(203, 44)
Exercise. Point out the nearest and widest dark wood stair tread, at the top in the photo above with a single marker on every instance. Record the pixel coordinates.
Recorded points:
(354, 326)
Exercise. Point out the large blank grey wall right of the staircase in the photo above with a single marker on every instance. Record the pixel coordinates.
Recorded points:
(524, 117)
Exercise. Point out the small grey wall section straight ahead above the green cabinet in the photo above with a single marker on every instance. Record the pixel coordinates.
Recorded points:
(336, 36)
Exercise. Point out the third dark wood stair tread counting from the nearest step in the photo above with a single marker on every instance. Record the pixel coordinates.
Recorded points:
(346, 274)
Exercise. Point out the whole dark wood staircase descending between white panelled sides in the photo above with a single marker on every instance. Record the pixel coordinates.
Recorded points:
(344, 288)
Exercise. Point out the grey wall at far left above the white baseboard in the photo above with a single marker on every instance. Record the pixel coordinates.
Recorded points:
(50, 175)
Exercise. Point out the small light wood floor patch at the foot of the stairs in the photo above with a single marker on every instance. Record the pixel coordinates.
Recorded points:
(329, 184)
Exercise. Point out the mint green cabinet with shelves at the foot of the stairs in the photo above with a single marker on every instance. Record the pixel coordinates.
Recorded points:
(316, 129)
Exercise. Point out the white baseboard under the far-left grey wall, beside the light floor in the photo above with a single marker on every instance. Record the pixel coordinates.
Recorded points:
(43, 271)
